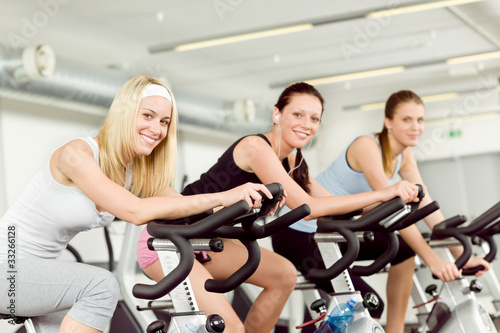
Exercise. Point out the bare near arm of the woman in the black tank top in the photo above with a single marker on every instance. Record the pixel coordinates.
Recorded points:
(254, 155)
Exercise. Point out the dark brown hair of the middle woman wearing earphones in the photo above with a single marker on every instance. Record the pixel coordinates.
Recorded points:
(301, 174)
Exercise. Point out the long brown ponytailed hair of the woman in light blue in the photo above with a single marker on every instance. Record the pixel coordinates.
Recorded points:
(403, 96)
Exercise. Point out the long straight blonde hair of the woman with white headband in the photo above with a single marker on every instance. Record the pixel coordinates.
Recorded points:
(118, 141)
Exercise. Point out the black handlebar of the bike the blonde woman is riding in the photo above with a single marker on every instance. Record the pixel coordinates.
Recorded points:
(218, 225)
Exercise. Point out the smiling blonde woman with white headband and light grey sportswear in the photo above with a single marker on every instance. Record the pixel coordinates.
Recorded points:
(125, 172)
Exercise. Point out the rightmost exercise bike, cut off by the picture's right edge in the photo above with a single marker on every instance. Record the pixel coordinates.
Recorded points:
(456, 308)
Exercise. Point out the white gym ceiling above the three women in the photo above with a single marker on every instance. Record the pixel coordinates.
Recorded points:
(117, 34)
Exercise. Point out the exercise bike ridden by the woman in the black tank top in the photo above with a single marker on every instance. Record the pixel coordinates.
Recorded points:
(386, 218)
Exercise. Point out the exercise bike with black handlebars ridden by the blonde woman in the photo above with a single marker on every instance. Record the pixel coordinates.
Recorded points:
(182, 311)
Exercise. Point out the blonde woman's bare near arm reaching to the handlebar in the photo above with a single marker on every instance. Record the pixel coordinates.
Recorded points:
(74, 165)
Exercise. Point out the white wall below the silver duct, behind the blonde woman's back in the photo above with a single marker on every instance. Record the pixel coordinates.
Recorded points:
(30, 133)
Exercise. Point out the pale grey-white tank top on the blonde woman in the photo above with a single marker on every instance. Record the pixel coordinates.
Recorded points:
(47, 215)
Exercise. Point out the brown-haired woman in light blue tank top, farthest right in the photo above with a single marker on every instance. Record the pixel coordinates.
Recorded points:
(371, 163)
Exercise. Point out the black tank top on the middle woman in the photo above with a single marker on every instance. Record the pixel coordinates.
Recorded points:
(225, 174)
